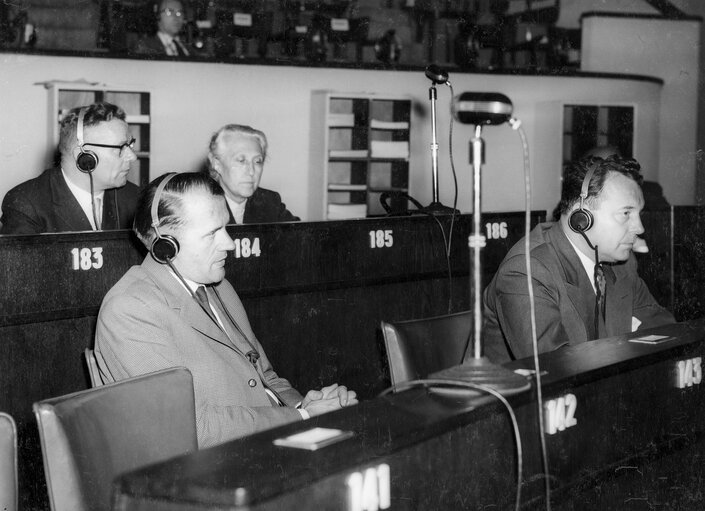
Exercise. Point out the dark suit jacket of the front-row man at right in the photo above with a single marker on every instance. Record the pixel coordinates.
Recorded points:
(564, 299)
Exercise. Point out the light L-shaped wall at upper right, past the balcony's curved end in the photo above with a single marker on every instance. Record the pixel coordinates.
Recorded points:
(670, 50)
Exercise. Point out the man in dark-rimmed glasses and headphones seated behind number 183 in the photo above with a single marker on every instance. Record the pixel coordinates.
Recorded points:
(89, 189)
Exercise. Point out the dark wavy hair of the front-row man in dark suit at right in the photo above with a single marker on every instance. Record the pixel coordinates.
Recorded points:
(575, 172)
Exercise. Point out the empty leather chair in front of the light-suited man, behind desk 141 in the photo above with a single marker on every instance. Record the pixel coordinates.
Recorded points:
(90, 437)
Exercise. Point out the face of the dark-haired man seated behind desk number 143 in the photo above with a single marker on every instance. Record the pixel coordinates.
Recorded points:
(617, 218)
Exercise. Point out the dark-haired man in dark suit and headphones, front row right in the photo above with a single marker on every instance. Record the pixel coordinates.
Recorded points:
(584, 274)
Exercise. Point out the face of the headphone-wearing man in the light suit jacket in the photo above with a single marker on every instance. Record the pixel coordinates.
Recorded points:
(203, 241)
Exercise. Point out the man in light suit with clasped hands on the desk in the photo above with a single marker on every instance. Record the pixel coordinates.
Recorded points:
(155, 317)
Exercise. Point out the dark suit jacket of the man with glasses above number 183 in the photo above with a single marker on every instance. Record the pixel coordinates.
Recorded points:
(46, 204)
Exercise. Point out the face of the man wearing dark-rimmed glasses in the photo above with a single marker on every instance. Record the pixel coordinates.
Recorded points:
(113, 163)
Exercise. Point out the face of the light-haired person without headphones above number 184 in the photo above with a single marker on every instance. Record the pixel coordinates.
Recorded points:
(239, 163)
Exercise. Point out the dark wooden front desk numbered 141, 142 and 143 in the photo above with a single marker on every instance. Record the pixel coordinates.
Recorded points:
(632, 439)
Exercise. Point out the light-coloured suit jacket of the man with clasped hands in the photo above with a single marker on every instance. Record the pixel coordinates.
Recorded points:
(148, 322)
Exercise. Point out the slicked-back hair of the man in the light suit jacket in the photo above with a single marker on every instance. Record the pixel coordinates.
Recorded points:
(171, 203)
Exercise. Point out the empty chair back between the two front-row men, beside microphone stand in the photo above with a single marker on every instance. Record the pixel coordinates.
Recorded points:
(419, 347)
